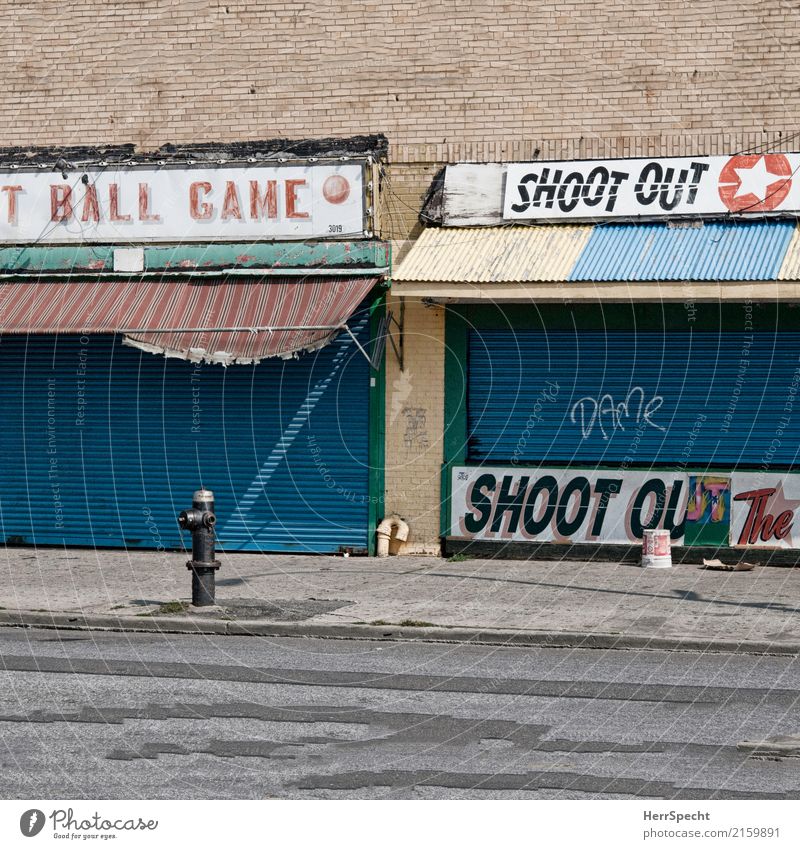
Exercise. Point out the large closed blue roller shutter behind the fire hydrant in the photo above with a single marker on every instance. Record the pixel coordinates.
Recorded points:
(103, 445)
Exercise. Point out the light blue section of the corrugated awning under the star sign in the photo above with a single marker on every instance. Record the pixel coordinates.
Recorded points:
(712, 251)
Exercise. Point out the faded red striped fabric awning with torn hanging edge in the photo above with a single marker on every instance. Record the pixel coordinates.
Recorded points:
(213, 319)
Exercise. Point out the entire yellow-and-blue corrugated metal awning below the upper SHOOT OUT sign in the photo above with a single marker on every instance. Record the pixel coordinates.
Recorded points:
(600, 255)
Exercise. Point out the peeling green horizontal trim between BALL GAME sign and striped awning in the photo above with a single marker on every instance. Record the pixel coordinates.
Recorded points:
(366, 254)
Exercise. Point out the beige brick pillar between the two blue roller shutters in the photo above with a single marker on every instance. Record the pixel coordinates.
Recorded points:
(415, 425)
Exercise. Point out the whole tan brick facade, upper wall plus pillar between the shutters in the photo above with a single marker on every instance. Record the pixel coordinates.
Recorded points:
(485, 80)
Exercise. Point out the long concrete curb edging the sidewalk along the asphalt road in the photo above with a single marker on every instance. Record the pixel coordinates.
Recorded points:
(474, 636)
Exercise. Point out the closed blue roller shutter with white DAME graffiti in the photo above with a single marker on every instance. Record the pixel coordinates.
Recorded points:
(691, 398)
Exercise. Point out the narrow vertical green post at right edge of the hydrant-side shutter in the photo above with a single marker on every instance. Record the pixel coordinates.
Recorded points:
(377, 426)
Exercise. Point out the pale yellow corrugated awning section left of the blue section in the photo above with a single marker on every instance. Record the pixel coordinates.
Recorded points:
(493, 254)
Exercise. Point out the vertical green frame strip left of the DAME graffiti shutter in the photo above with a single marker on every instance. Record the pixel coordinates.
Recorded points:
(455, 404)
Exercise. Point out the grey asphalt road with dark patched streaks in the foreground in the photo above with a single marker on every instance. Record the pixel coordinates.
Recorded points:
(102, 716)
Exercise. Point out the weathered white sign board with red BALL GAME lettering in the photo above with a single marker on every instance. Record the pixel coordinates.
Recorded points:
(182, 204)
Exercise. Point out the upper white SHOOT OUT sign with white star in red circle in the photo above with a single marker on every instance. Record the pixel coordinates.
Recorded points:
(635, 188)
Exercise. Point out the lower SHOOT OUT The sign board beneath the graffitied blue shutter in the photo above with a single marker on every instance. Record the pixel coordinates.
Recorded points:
(748, 509)
